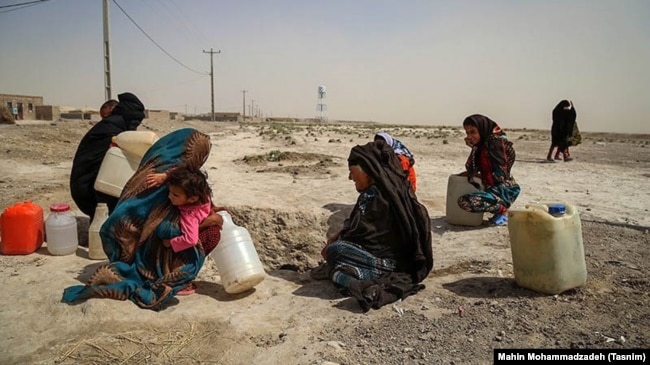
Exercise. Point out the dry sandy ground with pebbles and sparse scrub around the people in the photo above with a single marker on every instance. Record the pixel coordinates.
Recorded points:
(289, 206)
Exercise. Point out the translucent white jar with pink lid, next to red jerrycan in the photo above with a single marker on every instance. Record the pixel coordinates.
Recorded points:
(61, 230)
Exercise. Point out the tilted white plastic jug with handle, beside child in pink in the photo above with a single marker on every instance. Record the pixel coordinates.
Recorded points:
(236, 259)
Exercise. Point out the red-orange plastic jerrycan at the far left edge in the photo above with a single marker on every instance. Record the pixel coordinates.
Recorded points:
(22, 229)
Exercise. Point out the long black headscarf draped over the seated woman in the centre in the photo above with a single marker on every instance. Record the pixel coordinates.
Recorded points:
(379, 161)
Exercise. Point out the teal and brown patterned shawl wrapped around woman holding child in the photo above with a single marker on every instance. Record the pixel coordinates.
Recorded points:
(141, 269)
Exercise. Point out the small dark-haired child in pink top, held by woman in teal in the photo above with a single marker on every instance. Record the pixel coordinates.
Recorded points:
(190, 192)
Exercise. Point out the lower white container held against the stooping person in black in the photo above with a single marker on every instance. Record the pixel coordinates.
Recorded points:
(116, 169)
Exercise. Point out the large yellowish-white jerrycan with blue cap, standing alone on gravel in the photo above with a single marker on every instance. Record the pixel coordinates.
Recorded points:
(547, 251)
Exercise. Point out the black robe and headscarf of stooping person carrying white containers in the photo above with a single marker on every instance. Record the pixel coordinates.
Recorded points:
(127, 116)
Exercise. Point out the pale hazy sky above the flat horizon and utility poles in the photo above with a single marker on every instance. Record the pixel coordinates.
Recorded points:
(400, 61)
